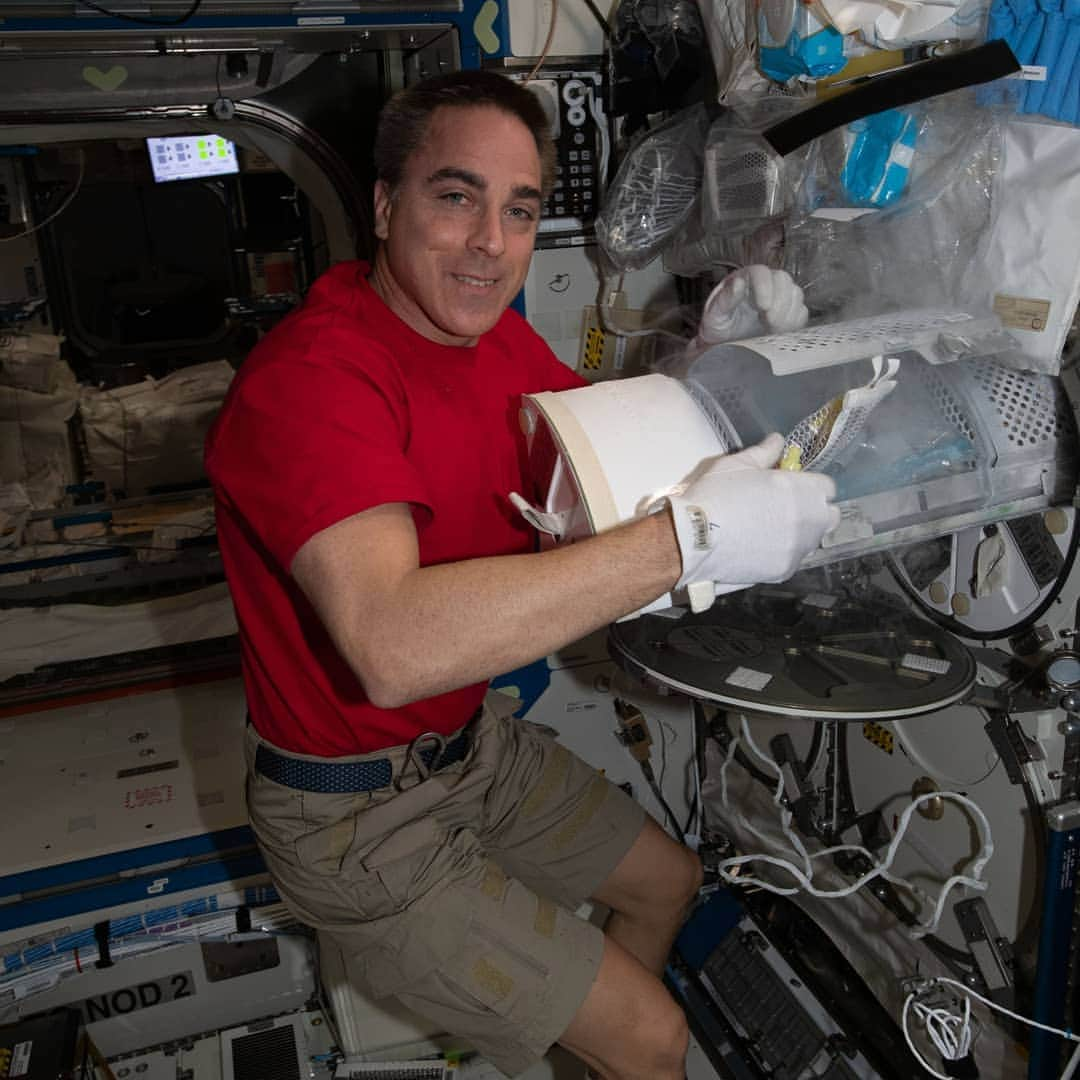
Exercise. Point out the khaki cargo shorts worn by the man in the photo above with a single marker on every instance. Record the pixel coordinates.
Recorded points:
(456, 894)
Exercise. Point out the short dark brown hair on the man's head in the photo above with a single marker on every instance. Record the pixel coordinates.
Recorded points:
(404, 119)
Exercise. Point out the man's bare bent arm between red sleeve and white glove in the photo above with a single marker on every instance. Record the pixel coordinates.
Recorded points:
(410, 632)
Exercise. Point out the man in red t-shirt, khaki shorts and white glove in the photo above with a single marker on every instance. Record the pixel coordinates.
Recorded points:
(361, 467)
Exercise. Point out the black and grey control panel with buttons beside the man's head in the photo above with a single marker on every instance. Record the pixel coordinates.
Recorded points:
(575, 109)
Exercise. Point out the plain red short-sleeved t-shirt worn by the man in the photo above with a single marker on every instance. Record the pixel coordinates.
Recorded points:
(341, 409)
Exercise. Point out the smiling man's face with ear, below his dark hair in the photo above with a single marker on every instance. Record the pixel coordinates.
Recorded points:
(458, 233)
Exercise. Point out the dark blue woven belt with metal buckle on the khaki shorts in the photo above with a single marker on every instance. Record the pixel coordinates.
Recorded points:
(427, 753)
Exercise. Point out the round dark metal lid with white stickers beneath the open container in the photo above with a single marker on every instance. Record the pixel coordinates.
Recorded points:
(795, 653)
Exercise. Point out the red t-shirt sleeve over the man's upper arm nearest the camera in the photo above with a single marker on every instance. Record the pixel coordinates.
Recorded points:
(302, 447)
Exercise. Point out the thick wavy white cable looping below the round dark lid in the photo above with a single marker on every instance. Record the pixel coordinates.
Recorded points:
(804, 876)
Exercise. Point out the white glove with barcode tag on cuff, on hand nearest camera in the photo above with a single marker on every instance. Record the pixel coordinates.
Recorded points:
(740, 522)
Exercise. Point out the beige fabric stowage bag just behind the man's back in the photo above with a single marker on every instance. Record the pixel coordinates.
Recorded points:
(152, 434)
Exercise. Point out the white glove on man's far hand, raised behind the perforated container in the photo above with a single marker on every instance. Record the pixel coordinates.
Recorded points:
(750, 302)
